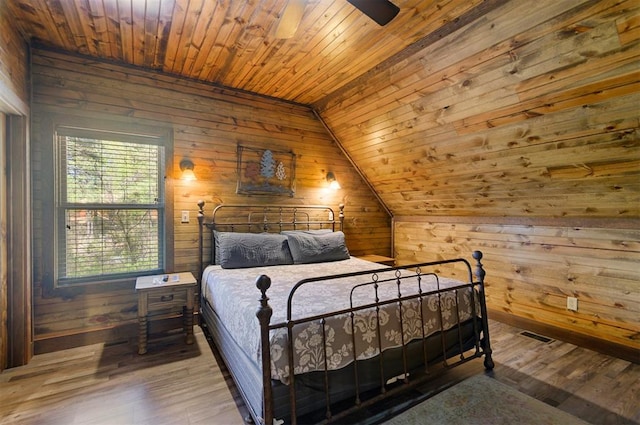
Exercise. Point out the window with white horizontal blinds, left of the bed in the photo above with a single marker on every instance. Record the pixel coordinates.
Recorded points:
(110, 205)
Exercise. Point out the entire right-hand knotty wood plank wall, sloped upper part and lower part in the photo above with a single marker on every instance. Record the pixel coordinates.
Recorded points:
(518, 135)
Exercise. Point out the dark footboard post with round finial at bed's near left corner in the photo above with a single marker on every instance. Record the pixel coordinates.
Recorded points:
(263, 314)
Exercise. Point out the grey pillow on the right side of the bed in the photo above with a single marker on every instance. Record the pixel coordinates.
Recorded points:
(312, 247)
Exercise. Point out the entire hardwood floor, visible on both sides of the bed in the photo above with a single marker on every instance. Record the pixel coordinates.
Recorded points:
(178, 384)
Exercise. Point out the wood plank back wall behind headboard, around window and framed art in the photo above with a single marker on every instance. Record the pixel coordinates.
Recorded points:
(207, 123)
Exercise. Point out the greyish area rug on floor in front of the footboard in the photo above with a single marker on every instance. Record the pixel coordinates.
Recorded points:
(483, 400)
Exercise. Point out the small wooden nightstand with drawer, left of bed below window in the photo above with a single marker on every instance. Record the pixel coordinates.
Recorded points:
(164, 294)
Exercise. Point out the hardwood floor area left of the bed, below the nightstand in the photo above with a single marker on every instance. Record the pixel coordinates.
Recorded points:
(173, 383)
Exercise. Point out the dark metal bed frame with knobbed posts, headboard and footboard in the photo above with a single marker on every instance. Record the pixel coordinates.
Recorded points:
(410, 358)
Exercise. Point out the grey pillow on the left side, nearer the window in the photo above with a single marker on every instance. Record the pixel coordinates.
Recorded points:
(239, 250)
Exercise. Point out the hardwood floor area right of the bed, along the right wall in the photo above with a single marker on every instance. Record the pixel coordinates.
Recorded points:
(597, 388)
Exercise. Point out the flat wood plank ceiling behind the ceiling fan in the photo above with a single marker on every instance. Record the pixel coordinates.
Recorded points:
(232, 42)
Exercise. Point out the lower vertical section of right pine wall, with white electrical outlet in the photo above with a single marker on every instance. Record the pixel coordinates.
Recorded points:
(533, 266)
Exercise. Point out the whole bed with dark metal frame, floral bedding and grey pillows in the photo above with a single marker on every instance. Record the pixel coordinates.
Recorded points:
(310, 333)
